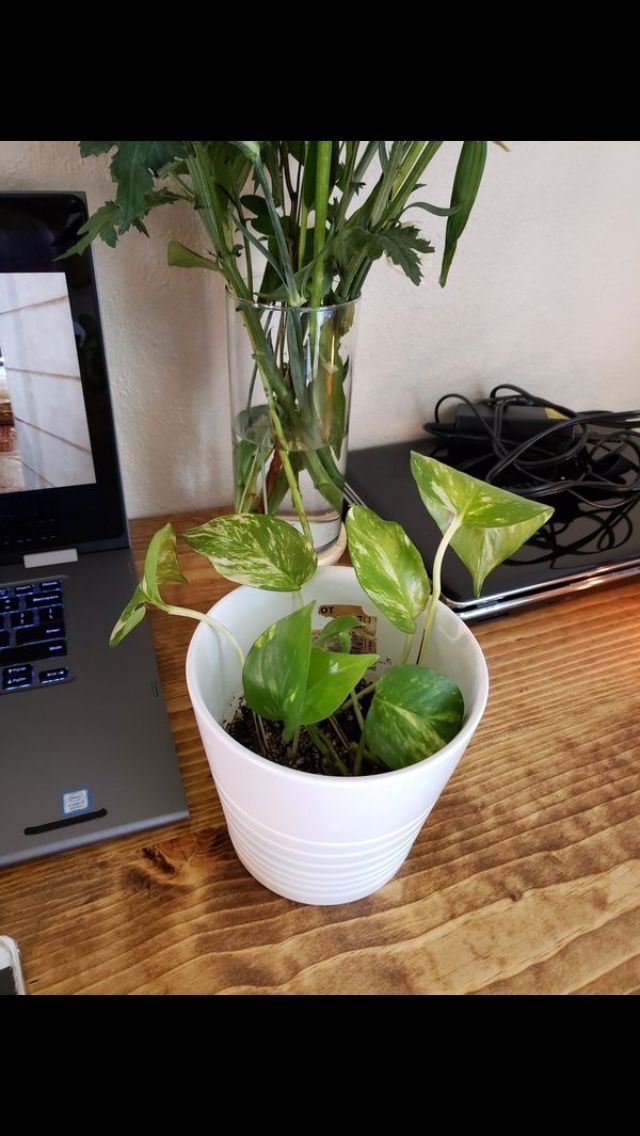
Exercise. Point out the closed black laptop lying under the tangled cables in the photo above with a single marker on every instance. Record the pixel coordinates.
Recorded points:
(581, 547)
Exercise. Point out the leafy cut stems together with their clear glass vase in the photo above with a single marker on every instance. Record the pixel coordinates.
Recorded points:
(294, 228)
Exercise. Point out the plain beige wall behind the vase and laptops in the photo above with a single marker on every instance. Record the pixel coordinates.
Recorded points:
(545, 293)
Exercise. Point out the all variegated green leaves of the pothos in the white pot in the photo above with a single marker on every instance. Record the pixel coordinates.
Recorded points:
(292, 678)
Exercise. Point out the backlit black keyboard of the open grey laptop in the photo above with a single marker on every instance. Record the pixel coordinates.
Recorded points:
(32, 636)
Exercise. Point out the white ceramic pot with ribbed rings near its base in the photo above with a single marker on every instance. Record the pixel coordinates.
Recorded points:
(314, 839)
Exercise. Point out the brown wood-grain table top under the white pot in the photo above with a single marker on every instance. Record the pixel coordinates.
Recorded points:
(525, 881)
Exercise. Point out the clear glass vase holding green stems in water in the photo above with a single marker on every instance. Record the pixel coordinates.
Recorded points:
(290, 383)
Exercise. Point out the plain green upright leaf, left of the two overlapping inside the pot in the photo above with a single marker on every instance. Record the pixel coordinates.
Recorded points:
(275, 678)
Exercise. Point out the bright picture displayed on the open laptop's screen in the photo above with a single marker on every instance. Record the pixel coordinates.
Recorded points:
(44, 428)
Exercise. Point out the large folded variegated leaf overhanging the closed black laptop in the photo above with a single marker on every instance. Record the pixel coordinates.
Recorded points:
(495, 523)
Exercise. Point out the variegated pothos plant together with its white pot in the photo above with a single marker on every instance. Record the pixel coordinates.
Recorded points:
(375, 688)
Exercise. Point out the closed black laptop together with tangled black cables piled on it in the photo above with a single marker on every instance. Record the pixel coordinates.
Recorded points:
(594, 537)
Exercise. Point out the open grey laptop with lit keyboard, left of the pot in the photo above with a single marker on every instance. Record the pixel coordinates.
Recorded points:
(86, 747)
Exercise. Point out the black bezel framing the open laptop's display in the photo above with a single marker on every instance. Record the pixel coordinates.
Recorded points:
(86, 517)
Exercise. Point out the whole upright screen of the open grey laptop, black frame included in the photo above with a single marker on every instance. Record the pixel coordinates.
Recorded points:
(60, 482)
